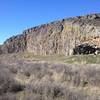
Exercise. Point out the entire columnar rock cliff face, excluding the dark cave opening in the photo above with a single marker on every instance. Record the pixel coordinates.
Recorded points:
(59, 37)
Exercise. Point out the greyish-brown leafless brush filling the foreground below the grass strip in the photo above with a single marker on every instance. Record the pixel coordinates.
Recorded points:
(42, 87)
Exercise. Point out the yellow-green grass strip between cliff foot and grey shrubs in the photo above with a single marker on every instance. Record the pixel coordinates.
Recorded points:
(75, 59)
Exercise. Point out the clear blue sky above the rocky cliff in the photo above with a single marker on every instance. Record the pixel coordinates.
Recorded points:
(18, 15)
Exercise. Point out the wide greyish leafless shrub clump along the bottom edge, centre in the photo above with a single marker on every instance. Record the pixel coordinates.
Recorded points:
(48, 91)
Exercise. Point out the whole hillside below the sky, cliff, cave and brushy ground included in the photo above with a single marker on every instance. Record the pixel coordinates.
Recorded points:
(55, 61)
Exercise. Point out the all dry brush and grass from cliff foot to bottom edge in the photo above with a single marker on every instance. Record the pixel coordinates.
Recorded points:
(42, 78)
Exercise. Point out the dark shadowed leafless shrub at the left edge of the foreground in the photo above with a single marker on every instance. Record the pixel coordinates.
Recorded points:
(7, 83)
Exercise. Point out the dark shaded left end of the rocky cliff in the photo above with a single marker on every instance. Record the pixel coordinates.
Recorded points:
(15, 44)
